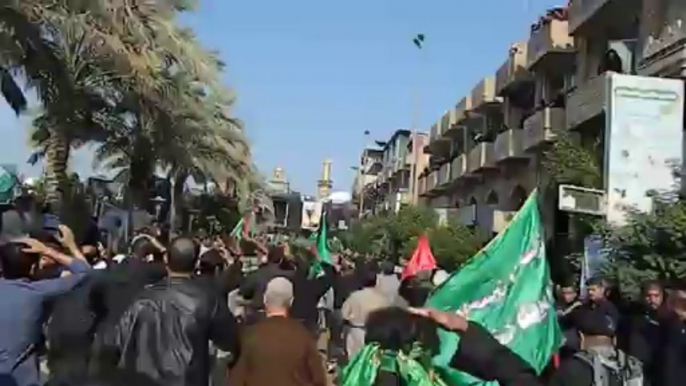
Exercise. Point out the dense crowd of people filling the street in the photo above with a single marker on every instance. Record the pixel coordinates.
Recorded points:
(187, 312)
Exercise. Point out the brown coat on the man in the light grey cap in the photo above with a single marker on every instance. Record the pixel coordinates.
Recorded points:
(278, 352)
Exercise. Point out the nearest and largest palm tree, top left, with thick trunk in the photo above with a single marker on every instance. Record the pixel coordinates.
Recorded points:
(101, 67)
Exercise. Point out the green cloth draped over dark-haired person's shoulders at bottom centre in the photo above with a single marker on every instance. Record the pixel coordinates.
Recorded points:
(364, 367)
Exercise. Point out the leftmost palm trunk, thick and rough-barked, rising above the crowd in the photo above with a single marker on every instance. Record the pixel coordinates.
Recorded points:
(56, 179)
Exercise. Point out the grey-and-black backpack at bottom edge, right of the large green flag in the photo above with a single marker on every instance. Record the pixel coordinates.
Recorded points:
(617, 369)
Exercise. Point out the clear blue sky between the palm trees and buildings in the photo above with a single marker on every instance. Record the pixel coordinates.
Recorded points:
(312, 75)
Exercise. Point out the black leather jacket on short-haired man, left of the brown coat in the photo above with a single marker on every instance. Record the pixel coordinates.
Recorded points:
(166, 332)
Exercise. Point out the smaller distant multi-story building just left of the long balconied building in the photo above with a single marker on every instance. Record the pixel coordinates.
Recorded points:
(384, 181)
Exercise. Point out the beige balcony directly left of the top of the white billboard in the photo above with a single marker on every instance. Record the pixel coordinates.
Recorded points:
(587, 101)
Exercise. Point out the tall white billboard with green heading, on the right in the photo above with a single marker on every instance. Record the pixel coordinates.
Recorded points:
(643, 141)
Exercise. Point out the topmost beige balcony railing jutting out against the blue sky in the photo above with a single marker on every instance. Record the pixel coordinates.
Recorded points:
(551, 37)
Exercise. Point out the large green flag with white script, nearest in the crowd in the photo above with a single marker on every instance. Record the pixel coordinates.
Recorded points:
(507, 289)
